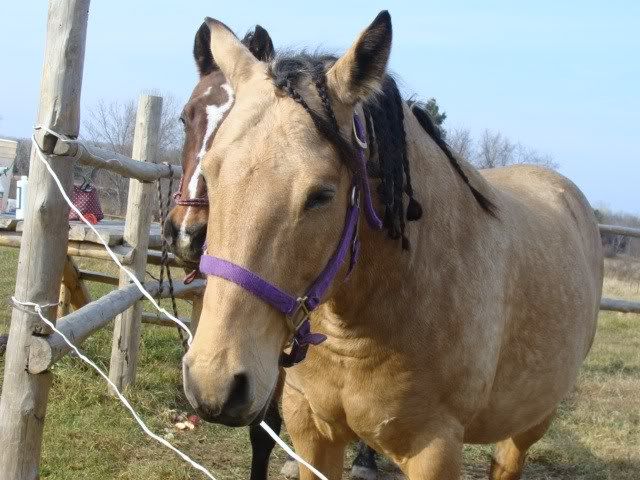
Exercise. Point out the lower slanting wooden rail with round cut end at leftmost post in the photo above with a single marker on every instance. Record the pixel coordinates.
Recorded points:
(79, 325)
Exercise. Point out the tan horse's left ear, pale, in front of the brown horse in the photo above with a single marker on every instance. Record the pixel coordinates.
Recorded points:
(234, 59)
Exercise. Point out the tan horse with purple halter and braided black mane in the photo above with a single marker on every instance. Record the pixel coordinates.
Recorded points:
(478, 308)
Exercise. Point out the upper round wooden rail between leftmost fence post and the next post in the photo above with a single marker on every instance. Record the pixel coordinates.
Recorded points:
(102, 158)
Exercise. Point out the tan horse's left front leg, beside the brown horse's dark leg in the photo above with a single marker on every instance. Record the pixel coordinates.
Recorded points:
(325, 454)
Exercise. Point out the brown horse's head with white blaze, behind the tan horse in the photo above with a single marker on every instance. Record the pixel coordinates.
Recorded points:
(186, 225)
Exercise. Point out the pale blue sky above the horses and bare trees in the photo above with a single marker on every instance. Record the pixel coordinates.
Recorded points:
(561, 77)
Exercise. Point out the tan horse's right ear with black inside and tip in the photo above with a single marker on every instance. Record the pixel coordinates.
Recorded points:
(359, 73)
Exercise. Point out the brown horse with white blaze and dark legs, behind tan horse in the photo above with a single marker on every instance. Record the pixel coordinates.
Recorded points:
(185, 227)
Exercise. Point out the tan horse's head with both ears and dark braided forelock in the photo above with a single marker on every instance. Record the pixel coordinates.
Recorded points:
(283, 165)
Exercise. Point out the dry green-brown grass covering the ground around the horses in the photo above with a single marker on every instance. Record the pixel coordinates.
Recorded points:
(88, 435)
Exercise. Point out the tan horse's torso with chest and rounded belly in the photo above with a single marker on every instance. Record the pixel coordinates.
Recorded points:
(486, 341)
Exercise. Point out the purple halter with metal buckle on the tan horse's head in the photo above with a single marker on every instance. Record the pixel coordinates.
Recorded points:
(296, 309)
